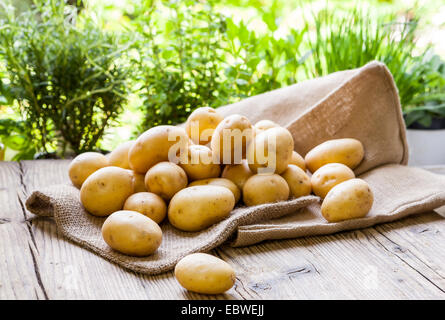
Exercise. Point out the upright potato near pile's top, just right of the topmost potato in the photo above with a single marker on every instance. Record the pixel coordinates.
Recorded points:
(230, 139)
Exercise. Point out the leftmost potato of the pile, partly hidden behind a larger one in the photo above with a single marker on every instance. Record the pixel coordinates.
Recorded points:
(84, 165)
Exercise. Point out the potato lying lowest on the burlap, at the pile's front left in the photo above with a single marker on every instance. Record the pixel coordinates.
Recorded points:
(132, 233)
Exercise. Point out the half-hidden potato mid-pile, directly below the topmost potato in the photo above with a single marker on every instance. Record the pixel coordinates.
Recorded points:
(199, 163)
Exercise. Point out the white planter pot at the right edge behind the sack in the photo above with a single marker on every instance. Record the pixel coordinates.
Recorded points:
(426, 147)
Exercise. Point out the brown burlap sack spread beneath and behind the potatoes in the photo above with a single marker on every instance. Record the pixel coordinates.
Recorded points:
(361, 103)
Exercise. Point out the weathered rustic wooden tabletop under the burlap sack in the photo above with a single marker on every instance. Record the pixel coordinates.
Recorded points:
(400, 260)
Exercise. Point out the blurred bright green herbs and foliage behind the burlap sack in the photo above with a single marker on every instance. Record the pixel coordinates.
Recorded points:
(90, 74)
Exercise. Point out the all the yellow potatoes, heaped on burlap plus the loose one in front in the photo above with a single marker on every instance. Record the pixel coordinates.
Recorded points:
(194, 177)
